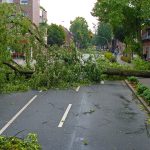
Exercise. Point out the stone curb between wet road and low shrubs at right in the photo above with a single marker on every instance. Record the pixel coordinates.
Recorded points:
(139, 98)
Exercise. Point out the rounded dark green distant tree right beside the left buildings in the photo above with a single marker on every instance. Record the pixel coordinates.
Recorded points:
(56, 35)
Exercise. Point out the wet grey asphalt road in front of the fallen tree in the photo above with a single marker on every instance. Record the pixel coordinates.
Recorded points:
(105, 117)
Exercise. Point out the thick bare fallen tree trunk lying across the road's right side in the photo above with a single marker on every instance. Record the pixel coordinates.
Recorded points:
(123, 72)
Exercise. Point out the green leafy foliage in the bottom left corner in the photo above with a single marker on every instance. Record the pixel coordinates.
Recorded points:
(13, 143)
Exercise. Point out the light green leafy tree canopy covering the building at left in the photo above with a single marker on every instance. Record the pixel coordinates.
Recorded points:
(17, 32)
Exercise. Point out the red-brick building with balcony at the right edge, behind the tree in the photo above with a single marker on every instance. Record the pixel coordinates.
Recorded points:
(146, 42)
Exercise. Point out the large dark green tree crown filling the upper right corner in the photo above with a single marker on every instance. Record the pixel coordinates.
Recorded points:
(130, 14)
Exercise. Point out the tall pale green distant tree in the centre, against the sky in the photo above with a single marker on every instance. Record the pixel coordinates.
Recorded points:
(79, 29)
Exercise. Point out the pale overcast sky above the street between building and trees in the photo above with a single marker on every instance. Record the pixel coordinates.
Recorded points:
(63, 11)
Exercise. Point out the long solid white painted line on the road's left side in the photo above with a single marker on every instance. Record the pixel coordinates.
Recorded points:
(17, 115)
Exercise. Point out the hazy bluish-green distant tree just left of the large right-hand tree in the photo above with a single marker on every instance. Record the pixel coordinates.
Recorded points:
(103, 35)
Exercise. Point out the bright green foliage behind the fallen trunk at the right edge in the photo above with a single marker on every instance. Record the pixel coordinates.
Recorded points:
(140, 64)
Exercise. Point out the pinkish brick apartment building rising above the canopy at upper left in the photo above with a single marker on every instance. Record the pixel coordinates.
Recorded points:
(31, 8)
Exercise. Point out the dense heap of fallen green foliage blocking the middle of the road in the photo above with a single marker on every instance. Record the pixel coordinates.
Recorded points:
(65, 70)
